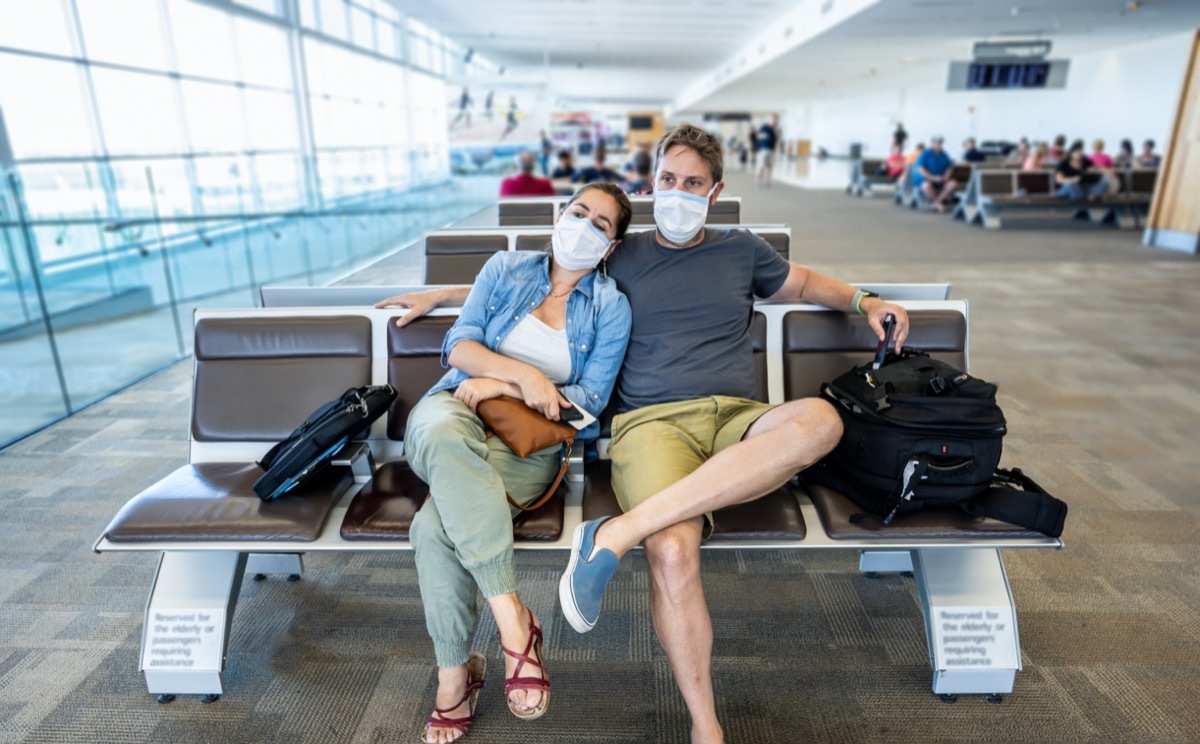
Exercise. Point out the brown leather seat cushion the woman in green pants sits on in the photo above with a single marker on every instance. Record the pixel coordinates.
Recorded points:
(386, 507)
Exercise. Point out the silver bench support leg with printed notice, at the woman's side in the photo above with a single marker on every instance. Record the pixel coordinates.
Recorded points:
(185, 635)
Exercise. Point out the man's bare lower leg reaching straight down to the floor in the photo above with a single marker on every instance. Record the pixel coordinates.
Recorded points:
(682, 622)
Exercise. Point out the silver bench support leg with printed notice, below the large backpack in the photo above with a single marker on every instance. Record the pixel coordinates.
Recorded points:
(970, 621)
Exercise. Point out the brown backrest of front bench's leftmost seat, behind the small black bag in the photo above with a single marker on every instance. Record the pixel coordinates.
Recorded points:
(259, 379)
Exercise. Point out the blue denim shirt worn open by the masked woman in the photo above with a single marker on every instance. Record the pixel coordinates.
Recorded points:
(512, 285)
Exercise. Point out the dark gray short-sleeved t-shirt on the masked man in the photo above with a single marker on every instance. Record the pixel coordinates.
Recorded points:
(692, 315)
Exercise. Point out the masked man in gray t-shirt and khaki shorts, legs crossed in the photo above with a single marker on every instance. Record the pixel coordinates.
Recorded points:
(687, 441)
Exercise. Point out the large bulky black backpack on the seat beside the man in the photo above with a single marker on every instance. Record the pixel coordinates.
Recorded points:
(920, 433)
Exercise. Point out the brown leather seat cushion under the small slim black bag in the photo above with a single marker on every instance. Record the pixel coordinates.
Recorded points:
(214, 501)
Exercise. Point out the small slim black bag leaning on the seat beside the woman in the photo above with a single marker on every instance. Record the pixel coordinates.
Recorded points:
(314, 443)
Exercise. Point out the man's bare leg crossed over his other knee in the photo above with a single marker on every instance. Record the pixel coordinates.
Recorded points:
(782, 442)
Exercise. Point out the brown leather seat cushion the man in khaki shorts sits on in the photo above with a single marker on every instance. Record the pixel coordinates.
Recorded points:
(776, 517)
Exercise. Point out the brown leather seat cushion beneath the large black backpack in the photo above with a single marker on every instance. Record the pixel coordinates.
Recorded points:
(837, 511)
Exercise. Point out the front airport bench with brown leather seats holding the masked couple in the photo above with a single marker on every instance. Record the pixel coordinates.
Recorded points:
(261, 371)
